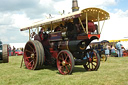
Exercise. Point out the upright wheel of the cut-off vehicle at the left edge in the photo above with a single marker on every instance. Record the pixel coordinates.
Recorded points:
(5, 53)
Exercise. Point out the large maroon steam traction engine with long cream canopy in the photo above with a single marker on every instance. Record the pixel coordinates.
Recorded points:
(64, 41)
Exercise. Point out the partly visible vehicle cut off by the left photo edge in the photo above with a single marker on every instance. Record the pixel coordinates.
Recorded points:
(4, 56)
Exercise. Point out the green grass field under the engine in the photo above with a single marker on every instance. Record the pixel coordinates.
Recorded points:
(112, 72)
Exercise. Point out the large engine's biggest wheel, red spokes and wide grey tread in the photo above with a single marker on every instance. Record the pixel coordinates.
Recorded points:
(33, 55)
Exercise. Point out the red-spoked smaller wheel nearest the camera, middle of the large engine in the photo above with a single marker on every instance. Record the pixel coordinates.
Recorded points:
(65, 62)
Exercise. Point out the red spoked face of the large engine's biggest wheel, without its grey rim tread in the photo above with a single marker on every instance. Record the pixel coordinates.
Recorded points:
(30, 55)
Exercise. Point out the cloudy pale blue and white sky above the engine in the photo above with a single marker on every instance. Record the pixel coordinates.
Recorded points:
(15, 14)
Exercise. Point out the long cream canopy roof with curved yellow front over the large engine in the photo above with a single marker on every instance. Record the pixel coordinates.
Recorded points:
(92, 14)
